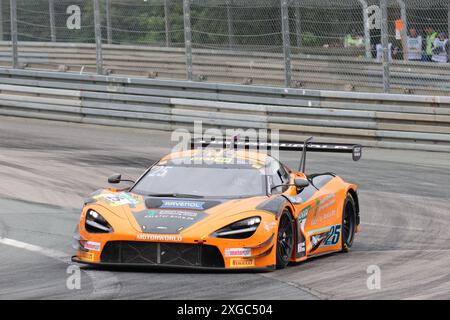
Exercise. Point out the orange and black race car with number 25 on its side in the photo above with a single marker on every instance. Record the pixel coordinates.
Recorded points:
(221, 206)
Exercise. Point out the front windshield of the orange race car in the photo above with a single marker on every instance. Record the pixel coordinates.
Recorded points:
(202, 181)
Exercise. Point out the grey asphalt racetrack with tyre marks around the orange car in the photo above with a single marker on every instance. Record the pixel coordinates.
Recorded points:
(47, 168)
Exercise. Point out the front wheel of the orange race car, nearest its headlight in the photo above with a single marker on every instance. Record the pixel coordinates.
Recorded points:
(285, 240)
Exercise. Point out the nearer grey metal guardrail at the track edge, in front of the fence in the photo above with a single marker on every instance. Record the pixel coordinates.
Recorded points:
(375, 120)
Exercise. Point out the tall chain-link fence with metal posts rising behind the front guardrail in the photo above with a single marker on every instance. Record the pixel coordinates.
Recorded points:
(364, 45)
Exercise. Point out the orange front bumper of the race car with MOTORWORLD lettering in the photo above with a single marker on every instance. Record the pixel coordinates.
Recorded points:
(127, 246)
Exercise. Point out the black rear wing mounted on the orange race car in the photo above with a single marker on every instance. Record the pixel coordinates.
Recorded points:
(304, 147)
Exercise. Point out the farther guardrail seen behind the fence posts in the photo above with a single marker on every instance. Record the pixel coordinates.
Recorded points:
(244, 67)
